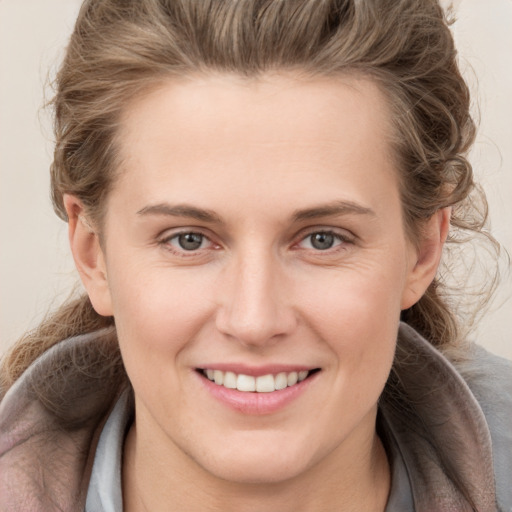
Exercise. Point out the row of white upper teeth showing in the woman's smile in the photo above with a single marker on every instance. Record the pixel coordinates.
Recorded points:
(261, 384)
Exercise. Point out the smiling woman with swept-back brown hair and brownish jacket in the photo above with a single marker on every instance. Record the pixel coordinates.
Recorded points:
(258, 192)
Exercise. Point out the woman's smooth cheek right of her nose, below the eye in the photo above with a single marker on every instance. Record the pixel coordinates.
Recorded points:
(357, 313)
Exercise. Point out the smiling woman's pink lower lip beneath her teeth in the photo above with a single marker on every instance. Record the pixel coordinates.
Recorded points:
(257, 403)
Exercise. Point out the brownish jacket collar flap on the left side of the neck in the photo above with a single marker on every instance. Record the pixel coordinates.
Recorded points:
(50, 422)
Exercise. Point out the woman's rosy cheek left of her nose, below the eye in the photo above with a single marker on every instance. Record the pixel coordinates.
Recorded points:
(158, 314)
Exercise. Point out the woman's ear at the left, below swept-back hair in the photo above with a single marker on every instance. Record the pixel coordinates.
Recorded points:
(88, 255)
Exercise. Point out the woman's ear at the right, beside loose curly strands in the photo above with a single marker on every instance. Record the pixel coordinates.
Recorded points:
(426, 257)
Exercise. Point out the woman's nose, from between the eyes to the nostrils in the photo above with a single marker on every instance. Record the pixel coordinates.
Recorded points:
(255, 305)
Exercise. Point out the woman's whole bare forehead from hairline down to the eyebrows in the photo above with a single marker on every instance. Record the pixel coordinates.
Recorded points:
(269, 137)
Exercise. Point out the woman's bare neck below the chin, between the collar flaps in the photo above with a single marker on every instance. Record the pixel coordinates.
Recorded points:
(348, 483)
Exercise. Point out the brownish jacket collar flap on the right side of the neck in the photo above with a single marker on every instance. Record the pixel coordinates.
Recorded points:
(438, 429)
